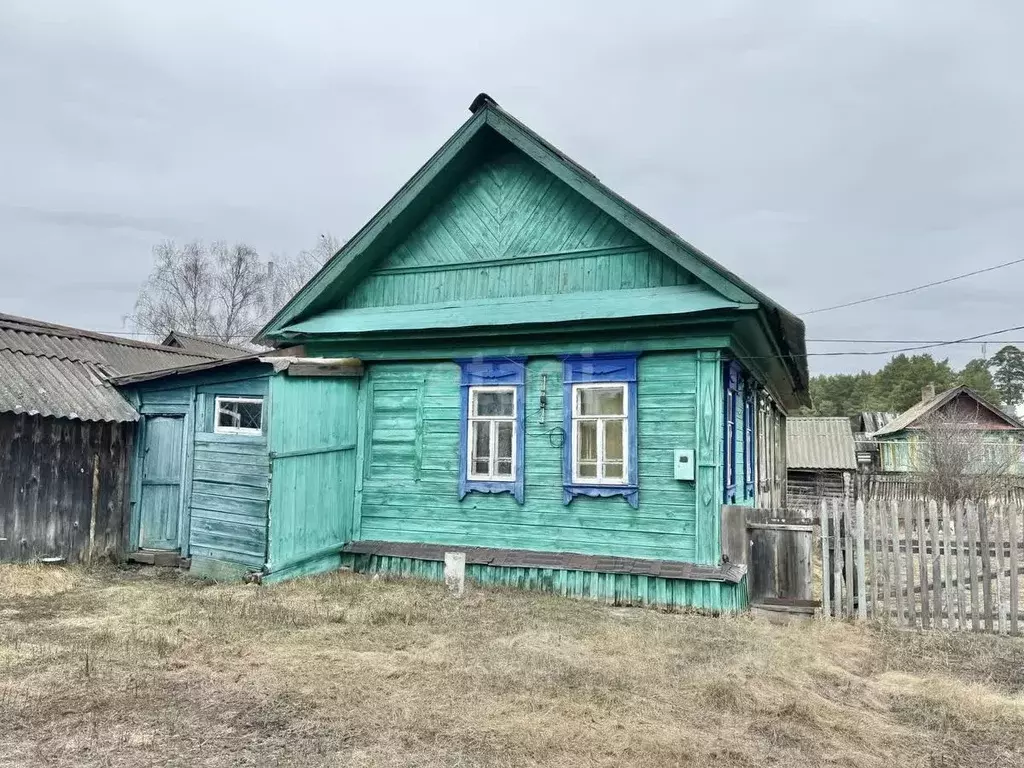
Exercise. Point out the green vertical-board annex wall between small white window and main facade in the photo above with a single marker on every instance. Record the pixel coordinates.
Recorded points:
(313, 448)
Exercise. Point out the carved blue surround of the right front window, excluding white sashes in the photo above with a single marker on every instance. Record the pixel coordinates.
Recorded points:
(583, 369)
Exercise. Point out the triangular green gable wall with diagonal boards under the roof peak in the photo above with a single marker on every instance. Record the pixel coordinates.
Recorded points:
(513, 230)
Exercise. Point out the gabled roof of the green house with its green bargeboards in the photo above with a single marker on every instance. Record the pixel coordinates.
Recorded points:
(412, 202)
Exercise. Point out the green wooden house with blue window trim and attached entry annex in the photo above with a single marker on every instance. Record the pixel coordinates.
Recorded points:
(508, 361)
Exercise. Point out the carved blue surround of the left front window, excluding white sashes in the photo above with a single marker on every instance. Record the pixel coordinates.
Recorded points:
(507, 372)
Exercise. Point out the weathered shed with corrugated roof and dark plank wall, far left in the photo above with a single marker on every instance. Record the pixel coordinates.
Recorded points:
(66, 438)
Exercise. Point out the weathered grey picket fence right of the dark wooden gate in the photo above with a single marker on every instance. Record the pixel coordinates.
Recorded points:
(918, 564)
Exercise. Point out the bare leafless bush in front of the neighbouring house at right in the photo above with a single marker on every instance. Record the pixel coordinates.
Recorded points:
(959, 460)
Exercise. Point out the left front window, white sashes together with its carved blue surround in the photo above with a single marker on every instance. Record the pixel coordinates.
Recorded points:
(493, 420)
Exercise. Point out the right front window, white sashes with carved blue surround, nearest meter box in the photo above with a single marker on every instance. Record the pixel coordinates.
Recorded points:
(600, 455)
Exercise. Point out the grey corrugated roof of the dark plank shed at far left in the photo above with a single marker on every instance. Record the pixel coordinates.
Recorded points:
(59, 371)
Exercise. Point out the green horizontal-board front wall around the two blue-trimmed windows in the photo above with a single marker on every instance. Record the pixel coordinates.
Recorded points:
(410, 467)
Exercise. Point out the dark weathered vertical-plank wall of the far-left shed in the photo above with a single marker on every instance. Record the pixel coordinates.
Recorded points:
(64, 488)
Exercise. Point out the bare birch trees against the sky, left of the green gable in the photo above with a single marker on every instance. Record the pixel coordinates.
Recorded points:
(221, 292)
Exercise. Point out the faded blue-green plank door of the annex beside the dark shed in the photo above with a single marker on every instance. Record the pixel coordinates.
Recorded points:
(160, 504)
